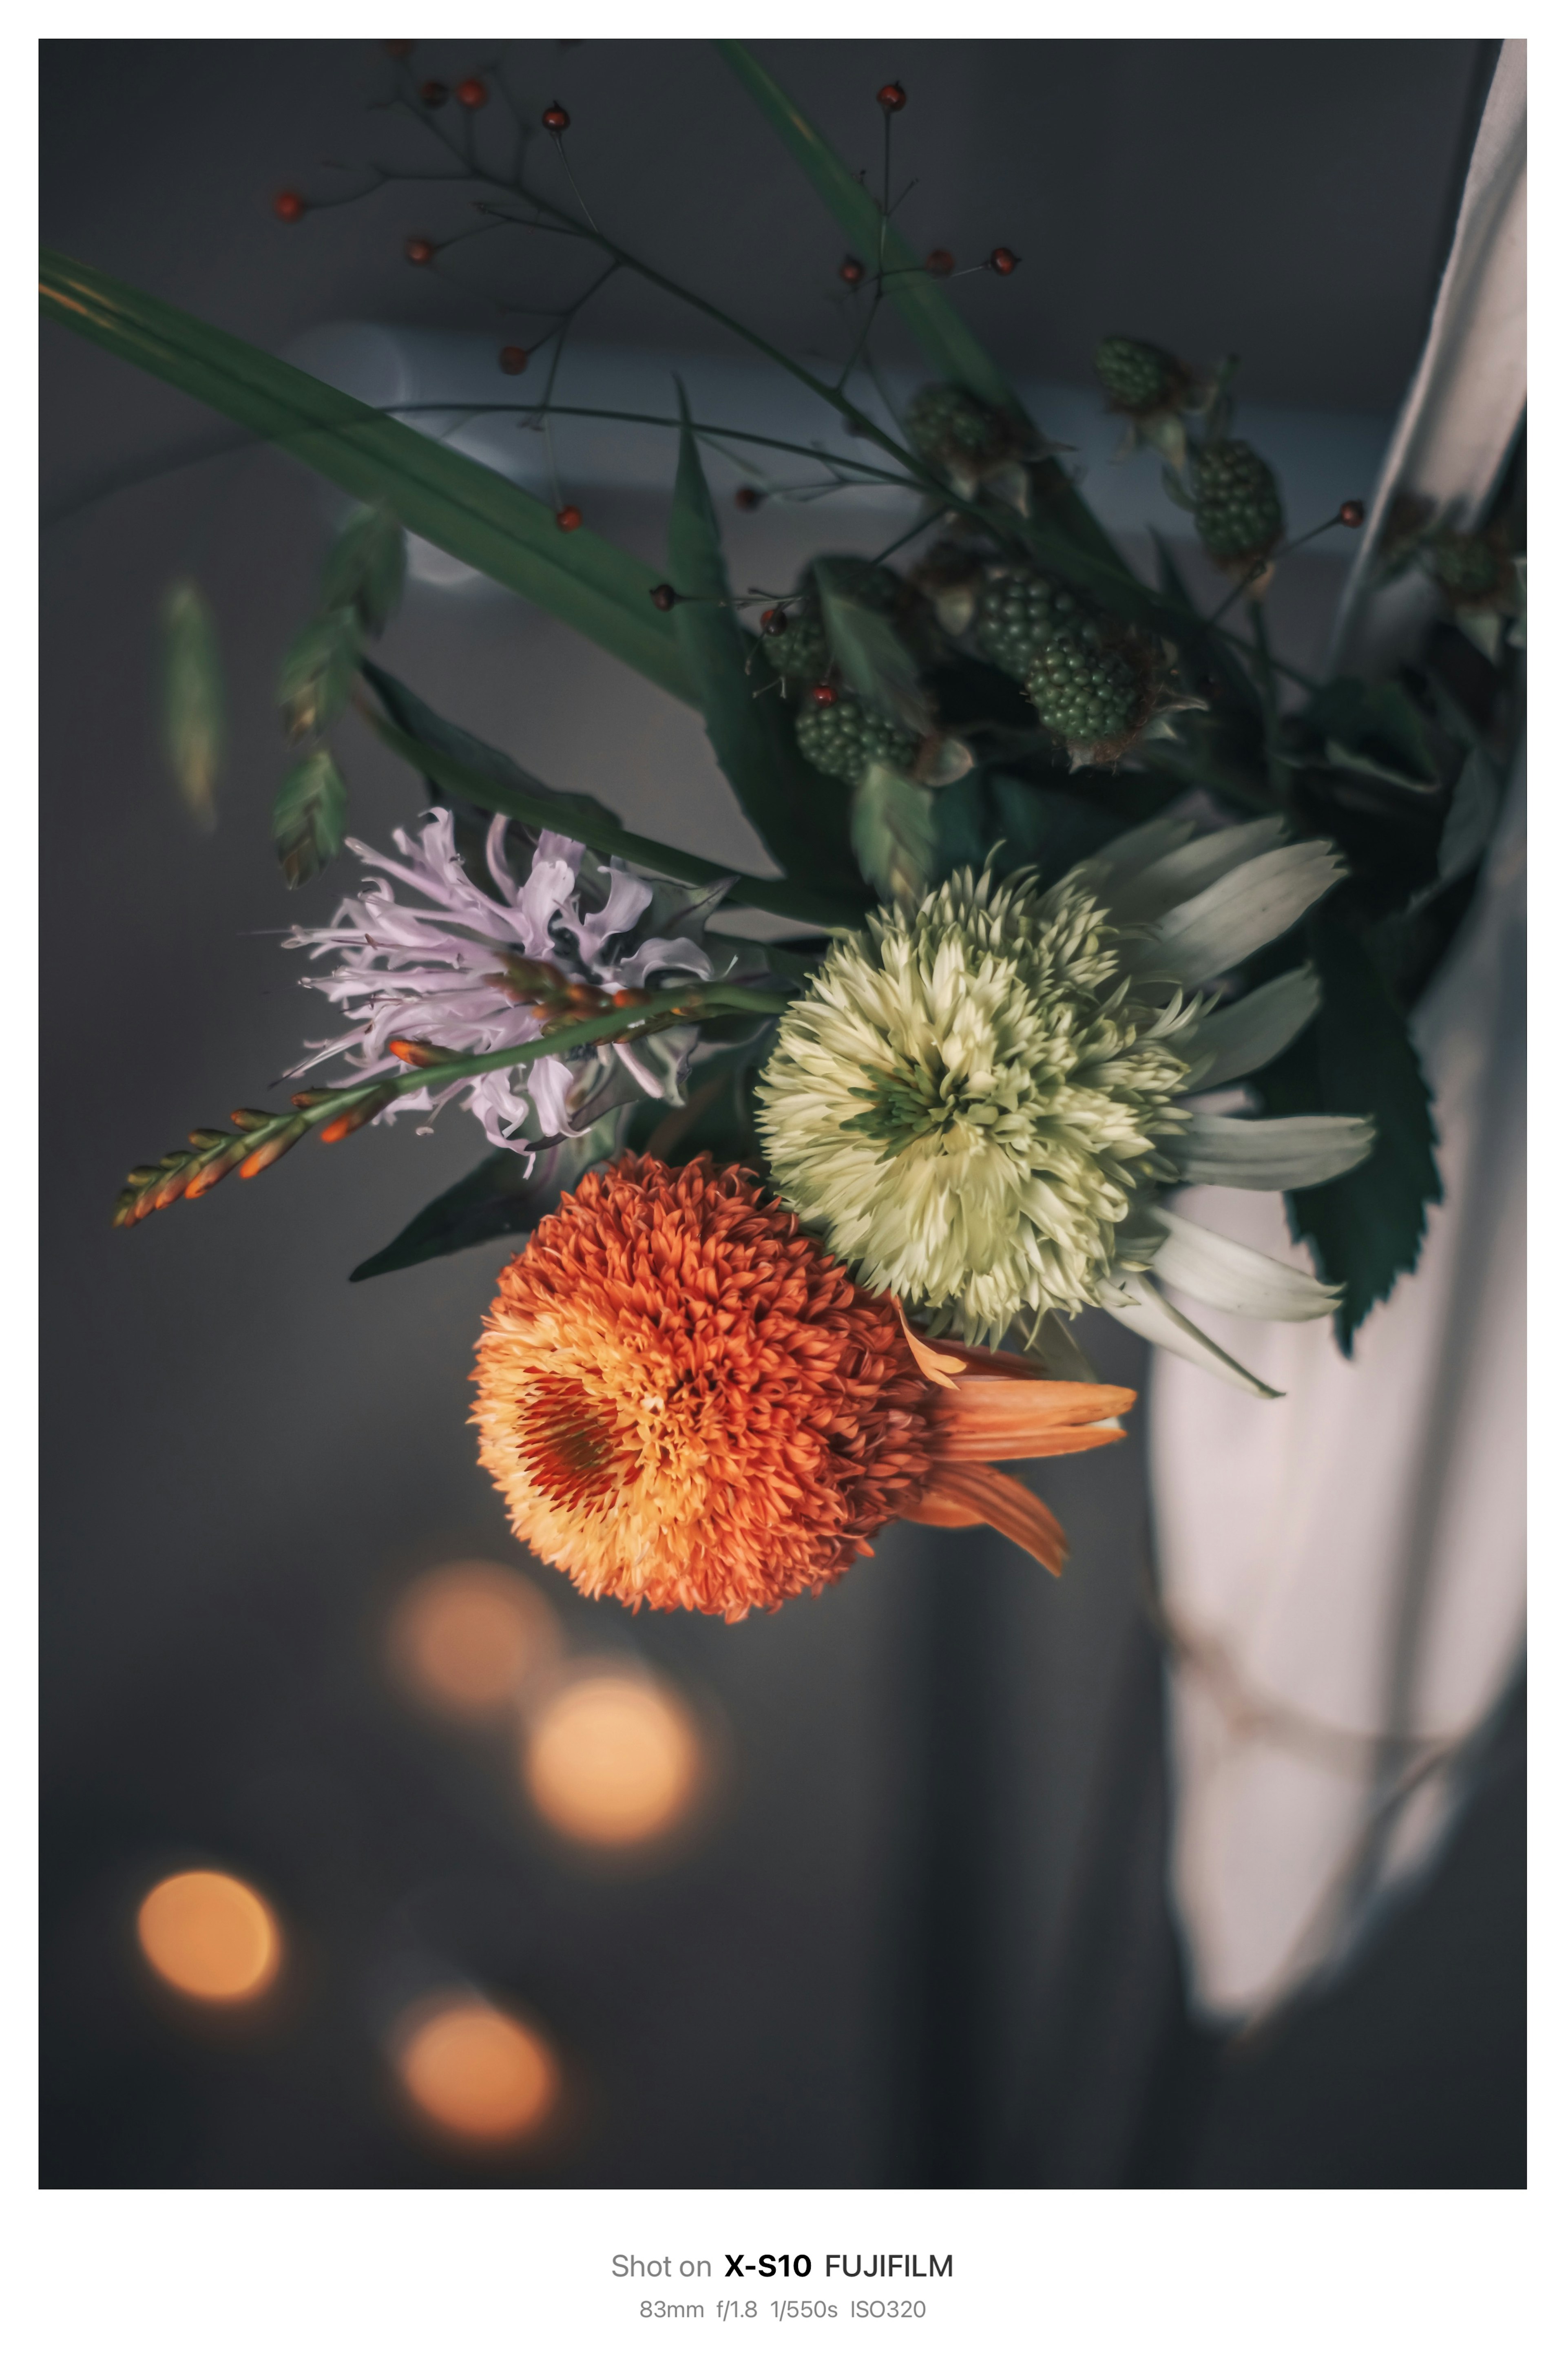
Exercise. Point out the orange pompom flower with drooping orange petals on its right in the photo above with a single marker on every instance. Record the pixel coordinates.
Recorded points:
(689, 1403)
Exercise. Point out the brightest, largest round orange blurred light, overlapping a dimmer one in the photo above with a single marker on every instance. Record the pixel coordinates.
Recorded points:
(613, 1760)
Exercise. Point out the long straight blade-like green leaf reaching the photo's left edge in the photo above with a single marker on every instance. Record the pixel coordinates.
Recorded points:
(437, 494)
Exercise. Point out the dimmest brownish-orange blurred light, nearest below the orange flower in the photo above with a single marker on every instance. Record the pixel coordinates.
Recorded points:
(470, 1631)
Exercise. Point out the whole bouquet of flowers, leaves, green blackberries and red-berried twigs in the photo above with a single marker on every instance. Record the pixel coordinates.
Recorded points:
(1079, 896)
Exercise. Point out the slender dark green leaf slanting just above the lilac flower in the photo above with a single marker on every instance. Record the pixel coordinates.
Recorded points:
(501, 784)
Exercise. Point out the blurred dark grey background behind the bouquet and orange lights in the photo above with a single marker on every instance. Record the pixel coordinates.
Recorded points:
(865, 1972)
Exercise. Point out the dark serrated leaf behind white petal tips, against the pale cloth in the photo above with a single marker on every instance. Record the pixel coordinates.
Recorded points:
(1367, 1227)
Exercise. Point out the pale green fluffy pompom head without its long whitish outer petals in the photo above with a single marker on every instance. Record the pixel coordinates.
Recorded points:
(972, 1098)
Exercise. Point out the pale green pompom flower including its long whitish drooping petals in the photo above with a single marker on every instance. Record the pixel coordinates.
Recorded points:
(979, 1101)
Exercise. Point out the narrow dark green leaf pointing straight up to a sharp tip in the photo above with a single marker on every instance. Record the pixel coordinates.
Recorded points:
(796, 810)
